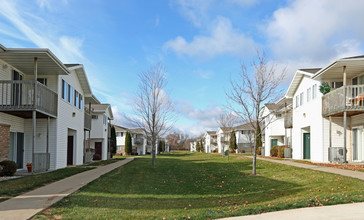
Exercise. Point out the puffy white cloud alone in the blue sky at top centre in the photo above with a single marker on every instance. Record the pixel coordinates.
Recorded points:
(223, 39)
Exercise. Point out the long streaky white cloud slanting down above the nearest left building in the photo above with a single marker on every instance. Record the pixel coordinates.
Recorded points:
(41, 33)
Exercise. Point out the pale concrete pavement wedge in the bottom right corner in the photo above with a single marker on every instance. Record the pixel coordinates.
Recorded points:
(334, 212)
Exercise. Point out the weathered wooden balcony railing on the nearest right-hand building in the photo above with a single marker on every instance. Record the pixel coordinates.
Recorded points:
(336, 102)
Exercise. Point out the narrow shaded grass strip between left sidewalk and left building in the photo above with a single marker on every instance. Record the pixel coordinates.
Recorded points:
(14, 187)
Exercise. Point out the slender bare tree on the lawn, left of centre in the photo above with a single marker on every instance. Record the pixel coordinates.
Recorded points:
(153, 108)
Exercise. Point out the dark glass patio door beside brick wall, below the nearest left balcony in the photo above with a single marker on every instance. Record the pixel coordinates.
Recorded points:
(17, 148)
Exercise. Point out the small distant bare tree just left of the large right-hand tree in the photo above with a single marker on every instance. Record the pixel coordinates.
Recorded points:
(226, 122)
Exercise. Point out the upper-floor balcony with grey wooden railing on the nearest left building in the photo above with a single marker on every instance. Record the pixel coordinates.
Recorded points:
(20, 98)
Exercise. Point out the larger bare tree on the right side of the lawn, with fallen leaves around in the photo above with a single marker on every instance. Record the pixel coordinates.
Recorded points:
(254, 89)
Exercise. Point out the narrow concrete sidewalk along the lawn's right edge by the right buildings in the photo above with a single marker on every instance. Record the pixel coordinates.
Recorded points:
(349, 173)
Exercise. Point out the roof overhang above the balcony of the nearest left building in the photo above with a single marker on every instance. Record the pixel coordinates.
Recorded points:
(23, 60)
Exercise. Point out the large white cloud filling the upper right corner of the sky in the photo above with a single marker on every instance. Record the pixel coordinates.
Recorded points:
(316, 31)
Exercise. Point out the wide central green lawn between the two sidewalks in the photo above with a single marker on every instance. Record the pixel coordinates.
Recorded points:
(202, 186)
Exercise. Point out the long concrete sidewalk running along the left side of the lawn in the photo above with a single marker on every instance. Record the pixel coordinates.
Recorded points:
(28, 204)
